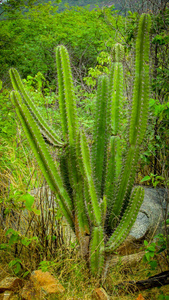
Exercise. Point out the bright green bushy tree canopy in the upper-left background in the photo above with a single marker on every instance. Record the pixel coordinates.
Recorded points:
(28, 39)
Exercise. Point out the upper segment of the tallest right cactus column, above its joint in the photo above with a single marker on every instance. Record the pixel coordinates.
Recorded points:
(139, 113)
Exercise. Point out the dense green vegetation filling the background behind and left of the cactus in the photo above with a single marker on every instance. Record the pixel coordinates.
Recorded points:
(28, 38)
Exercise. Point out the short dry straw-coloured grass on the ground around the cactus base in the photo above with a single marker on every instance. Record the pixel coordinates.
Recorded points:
(72, 272)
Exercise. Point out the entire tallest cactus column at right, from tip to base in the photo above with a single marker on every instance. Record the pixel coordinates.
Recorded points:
(138, 121)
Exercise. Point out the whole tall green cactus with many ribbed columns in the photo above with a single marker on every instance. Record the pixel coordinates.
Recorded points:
(93, 185)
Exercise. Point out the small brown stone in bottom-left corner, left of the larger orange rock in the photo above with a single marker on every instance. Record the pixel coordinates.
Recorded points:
(10, 283)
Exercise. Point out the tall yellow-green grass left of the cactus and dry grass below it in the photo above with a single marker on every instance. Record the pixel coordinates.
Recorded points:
(39, 239)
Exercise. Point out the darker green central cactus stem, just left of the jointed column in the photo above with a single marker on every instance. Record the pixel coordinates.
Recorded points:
(101, 134)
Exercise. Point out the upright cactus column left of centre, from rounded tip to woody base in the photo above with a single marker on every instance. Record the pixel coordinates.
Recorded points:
(69, 166)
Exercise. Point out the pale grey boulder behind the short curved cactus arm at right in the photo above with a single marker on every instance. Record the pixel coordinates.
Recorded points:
(151, 215)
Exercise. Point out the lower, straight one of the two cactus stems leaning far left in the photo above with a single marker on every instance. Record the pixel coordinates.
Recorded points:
(42, 155)
